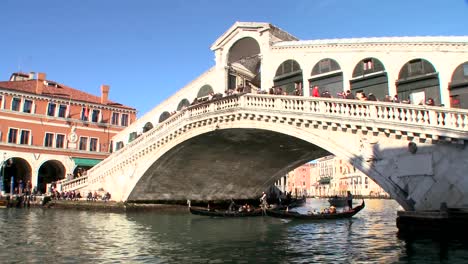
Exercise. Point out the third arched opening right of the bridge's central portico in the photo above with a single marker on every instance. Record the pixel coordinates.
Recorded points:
(369, 76)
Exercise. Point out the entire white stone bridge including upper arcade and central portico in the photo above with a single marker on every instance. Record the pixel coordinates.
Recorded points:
(239, 145)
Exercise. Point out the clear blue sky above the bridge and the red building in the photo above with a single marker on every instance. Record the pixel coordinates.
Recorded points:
(146, 50)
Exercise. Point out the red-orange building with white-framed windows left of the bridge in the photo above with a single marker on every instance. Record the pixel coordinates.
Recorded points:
(49, 131)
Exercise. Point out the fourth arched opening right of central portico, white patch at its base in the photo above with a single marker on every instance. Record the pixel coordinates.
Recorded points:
(418, 81)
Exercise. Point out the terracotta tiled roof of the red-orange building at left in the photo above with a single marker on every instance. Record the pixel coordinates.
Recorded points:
(59, 91)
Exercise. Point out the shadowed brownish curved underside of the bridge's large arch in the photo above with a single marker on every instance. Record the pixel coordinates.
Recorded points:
(223, 164)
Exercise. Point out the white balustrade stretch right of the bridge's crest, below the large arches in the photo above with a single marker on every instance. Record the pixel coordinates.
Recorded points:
(431, 116)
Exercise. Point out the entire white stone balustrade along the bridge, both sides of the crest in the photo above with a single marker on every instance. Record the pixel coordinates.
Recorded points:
(345, 109)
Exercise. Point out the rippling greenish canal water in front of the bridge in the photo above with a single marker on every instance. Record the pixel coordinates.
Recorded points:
(38, 235)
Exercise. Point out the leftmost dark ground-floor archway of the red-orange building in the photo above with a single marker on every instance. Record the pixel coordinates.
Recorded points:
(18, 172)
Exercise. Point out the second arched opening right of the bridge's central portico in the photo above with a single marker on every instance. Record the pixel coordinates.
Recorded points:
(327, 76)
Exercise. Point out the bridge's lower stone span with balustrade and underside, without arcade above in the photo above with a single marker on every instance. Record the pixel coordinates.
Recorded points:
(239, 145)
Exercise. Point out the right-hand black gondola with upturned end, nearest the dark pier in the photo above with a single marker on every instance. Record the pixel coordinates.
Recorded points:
(320, 216)
